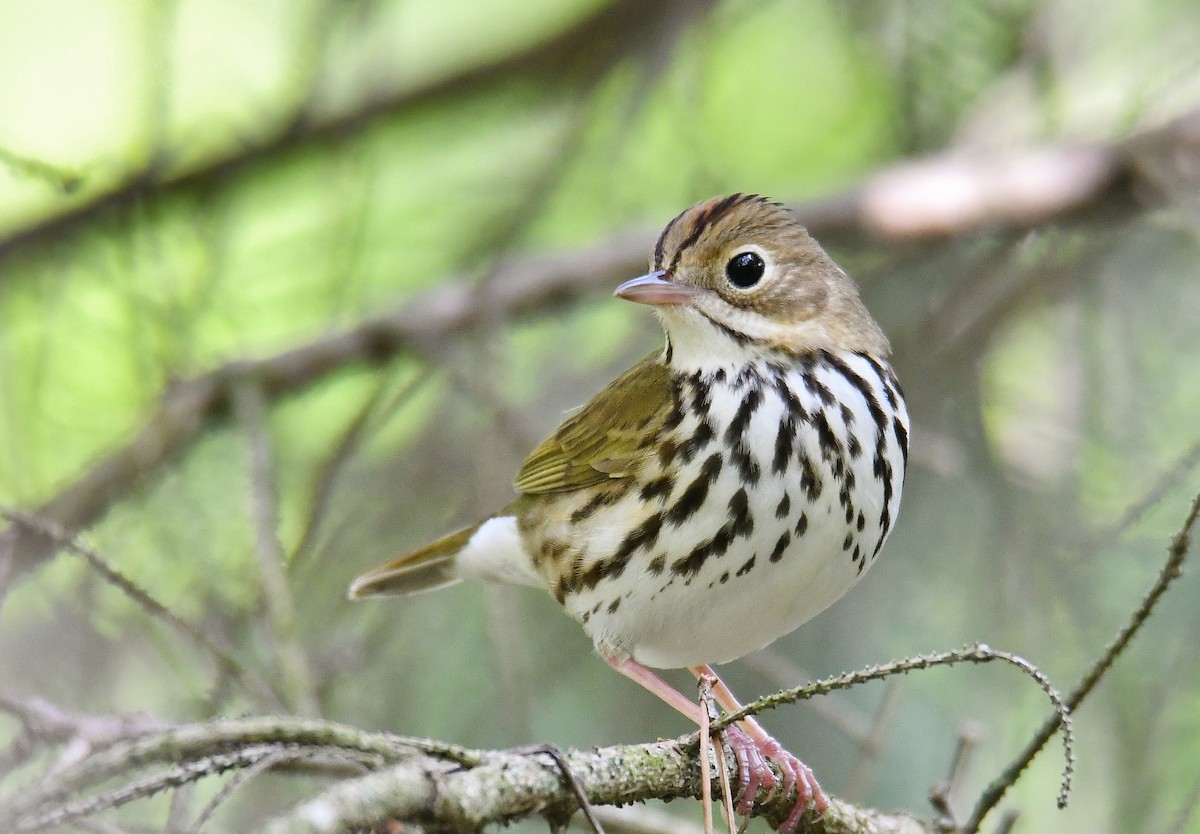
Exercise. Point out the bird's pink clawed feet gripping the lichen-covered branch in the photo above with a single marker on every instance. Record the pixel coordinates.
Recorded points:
(754, 758)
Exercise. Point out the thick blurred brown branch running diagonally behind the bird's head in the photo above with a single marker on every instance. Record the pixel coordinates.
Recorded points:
(525, 286)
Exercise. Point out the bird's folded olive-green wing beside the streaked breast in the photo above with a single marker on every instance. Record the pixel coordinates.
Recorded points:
(607, 439)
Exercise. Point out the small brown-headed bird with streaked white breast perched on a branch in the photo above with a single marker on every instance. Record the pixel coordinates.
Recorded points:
(723, 491)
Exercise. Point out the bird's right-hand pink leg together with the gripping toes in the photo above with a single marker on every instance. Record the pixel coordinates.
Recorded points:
(754, 748)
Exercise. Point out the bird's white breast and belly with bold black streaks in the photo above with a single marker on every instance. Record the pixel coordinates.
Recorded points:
(795, 513)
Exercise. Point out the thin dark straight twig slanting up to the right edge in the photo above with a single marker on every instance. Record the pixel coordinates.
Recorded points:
(1171, 572)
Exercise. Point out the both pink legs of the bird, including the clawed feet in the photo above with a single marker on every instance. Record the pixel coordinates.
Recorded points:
(752, 746)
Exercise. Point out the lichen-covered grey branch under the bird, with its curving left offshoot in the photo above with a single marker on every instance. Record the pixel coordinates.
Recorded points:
(421, 782)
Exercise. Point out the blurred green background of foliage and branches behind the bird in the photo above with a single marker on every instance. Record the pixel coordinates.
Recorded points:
(201, 199)
